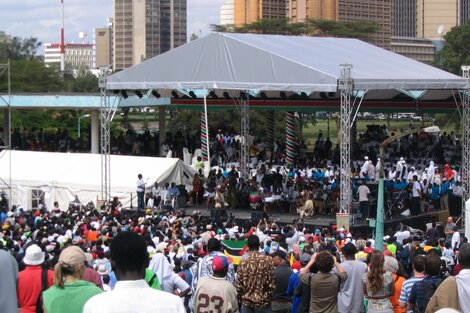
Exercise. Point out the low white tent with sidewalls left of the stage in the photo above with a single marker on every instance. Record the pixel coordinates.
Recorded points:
(62, 176)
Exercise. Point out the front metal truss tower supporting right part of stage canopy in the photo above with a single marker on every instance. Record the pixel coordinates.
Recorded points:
(345, 86)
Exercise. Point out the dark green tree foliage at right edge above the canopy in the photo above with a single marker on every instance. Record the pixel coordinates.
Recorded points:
(456, 50)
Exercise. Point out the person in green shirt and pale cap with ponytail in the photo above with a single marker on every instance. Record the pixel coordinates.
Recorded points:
(69, 292)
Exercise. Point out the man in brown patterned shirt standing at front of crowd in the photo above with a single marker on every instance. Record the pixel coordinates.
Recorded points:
(255, 279)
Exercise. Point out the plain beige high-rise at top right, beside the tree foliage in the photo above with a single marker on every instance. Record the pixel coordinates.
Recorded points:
(431, 14)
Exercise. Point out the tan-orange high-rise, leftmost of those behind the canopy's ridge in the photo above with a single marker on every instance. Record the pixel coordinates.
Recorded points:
(249, 11)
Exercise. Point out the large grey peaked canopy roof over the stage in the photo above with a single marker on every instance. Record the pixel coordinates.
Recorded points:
(283, 63)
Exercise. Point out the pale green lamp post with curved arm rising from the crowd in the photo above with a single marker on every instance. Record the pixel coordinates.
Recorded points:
(379, 225)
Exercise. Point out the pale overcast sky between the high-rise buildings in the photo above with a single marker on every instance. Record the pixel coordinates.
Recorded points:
(41, 18)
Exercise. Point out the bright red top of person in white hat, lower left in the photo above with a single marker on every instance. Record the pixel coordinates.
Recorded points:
(29, 287)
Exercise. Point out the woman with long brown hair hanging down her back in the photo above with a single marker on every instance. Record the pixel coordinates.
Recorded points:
(378, 285)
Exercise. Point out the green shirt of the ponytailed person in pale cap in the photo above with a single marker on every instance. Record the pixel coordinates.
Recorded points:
(71, 298)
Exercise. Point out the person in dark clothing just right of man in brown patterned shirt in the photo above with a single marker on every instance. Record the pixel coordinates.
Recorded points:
(281, 300)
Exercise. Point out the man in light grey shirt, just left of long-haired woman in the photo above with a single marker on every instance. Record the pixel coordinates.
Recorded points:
(350, 299)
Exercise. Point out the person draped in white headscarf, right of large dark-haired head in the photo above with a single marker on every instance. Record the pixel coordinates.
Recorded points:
(169, 280)
